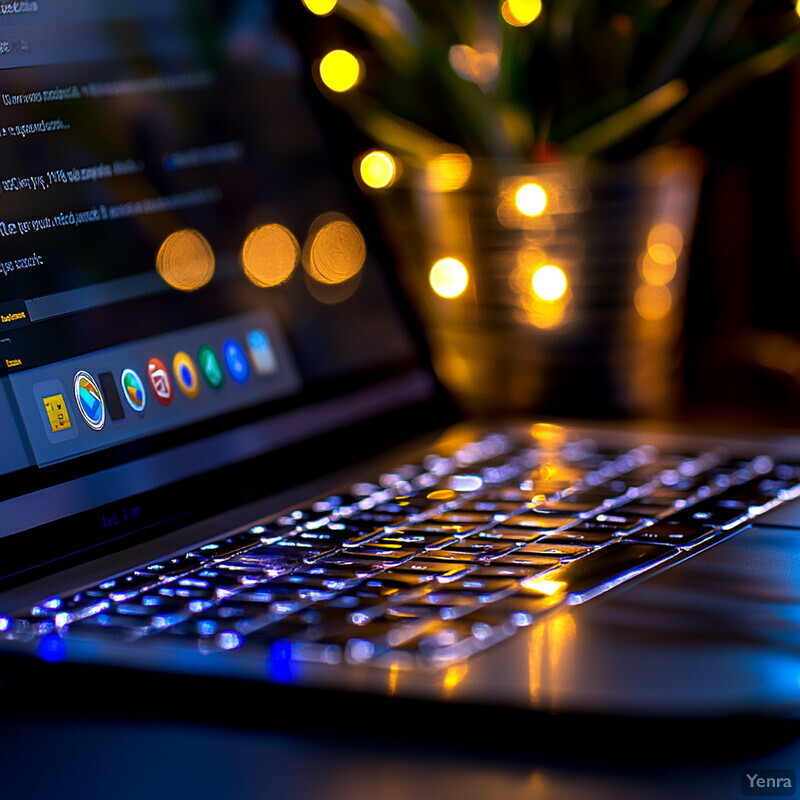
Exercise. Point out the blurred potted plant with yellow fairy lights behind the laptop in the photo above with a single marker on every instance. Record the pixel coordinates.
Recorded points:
(553, 201)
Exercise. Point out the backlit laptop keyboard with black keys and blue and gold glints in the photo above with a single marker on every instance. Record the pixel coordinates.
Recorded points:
(434, 561)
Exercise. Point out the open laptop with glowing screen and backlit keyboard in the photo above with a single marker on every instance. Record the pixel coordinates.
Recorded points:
(226, 454)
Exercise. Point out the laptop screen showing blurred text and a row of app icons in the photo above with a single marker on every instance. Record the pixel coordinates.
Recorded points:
(184, 284)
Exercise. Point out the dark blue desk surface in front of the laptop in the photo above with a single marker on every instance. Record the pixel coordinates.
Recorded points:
(80, 757)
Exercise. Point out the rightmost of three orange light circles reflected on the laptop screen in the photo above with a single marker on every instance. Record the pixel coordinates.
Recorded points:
(335, 250)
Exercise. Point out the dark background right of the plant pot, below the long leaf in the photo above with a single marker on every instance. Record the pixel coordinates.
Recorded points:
(742, 345)
